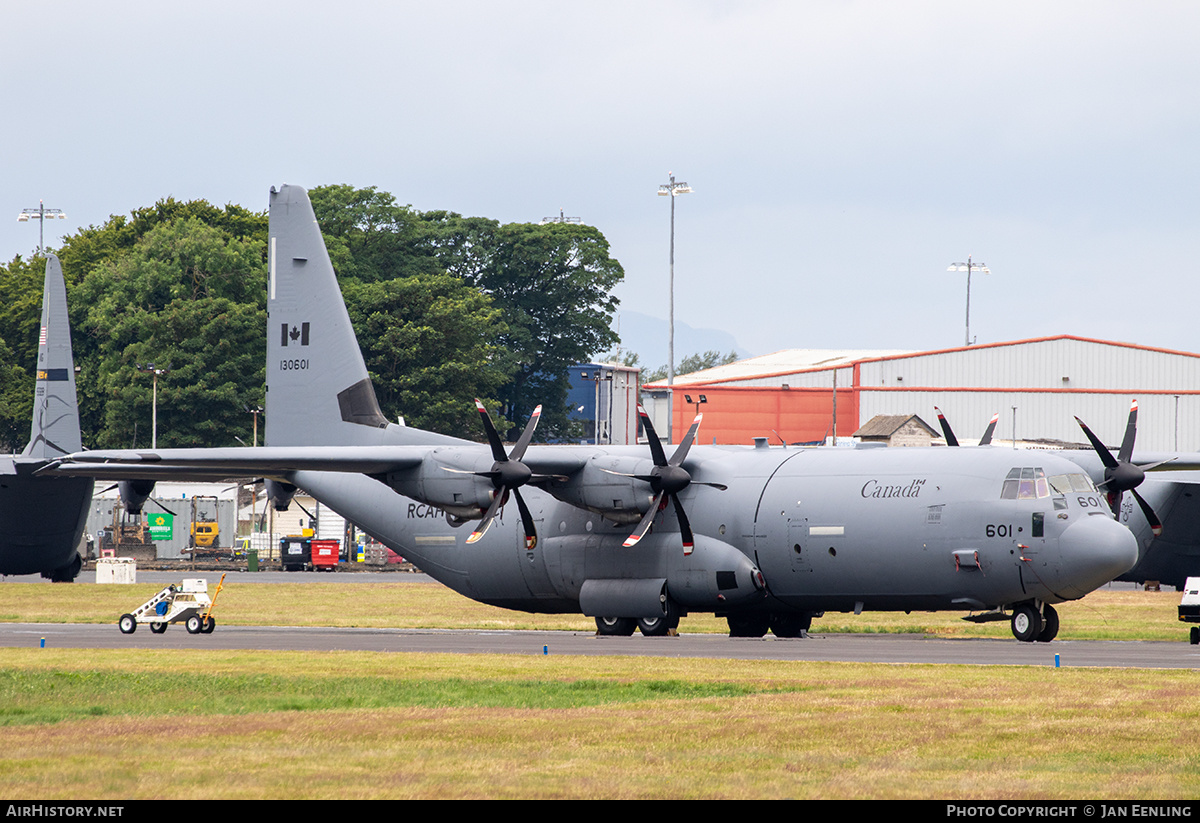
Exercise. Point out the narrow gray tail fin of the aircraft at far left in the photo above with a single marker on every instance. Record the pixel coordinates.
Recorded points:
(56, 428)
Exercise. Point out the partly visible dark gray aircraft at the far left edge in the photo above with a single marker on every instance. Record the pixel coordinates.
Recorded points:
(44, 518)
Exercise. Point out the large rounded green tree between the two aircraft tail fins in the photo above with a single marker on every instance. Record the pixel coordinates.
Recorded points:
(190, 296)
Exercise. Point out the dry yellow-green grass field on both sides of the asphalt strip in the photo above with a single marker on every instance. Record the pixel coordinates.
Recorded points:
(155, 724)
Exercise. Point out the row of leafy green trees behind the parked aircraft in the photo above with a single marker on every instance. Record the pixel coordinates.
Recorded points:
(446, 308)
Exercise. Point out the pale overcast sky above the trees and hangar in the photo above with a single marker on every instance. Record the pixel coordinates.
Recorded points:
(843, 154)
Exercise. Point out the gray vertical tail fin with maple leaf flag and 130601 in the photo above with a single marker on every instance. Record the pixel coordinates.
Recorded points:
(319, 392)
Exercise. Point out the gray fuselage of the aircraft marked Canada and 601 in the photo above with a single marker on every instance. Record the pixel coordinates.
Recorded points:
(830, 530)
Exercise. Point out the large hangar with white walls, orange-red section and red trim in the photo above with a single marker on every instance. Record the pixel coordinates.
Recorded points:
(1049, 381)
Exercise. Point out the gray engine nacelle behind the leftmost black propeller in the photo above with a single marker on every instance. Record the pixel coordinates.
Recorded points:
(445, 480)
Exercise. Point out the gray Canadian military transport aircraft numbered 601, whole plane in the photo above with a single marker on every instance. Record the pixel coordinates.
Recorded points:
(769, 538)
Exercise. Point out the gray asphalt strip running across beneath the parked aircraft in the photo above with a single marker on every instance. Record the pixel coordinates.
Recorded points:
(847, 648)
